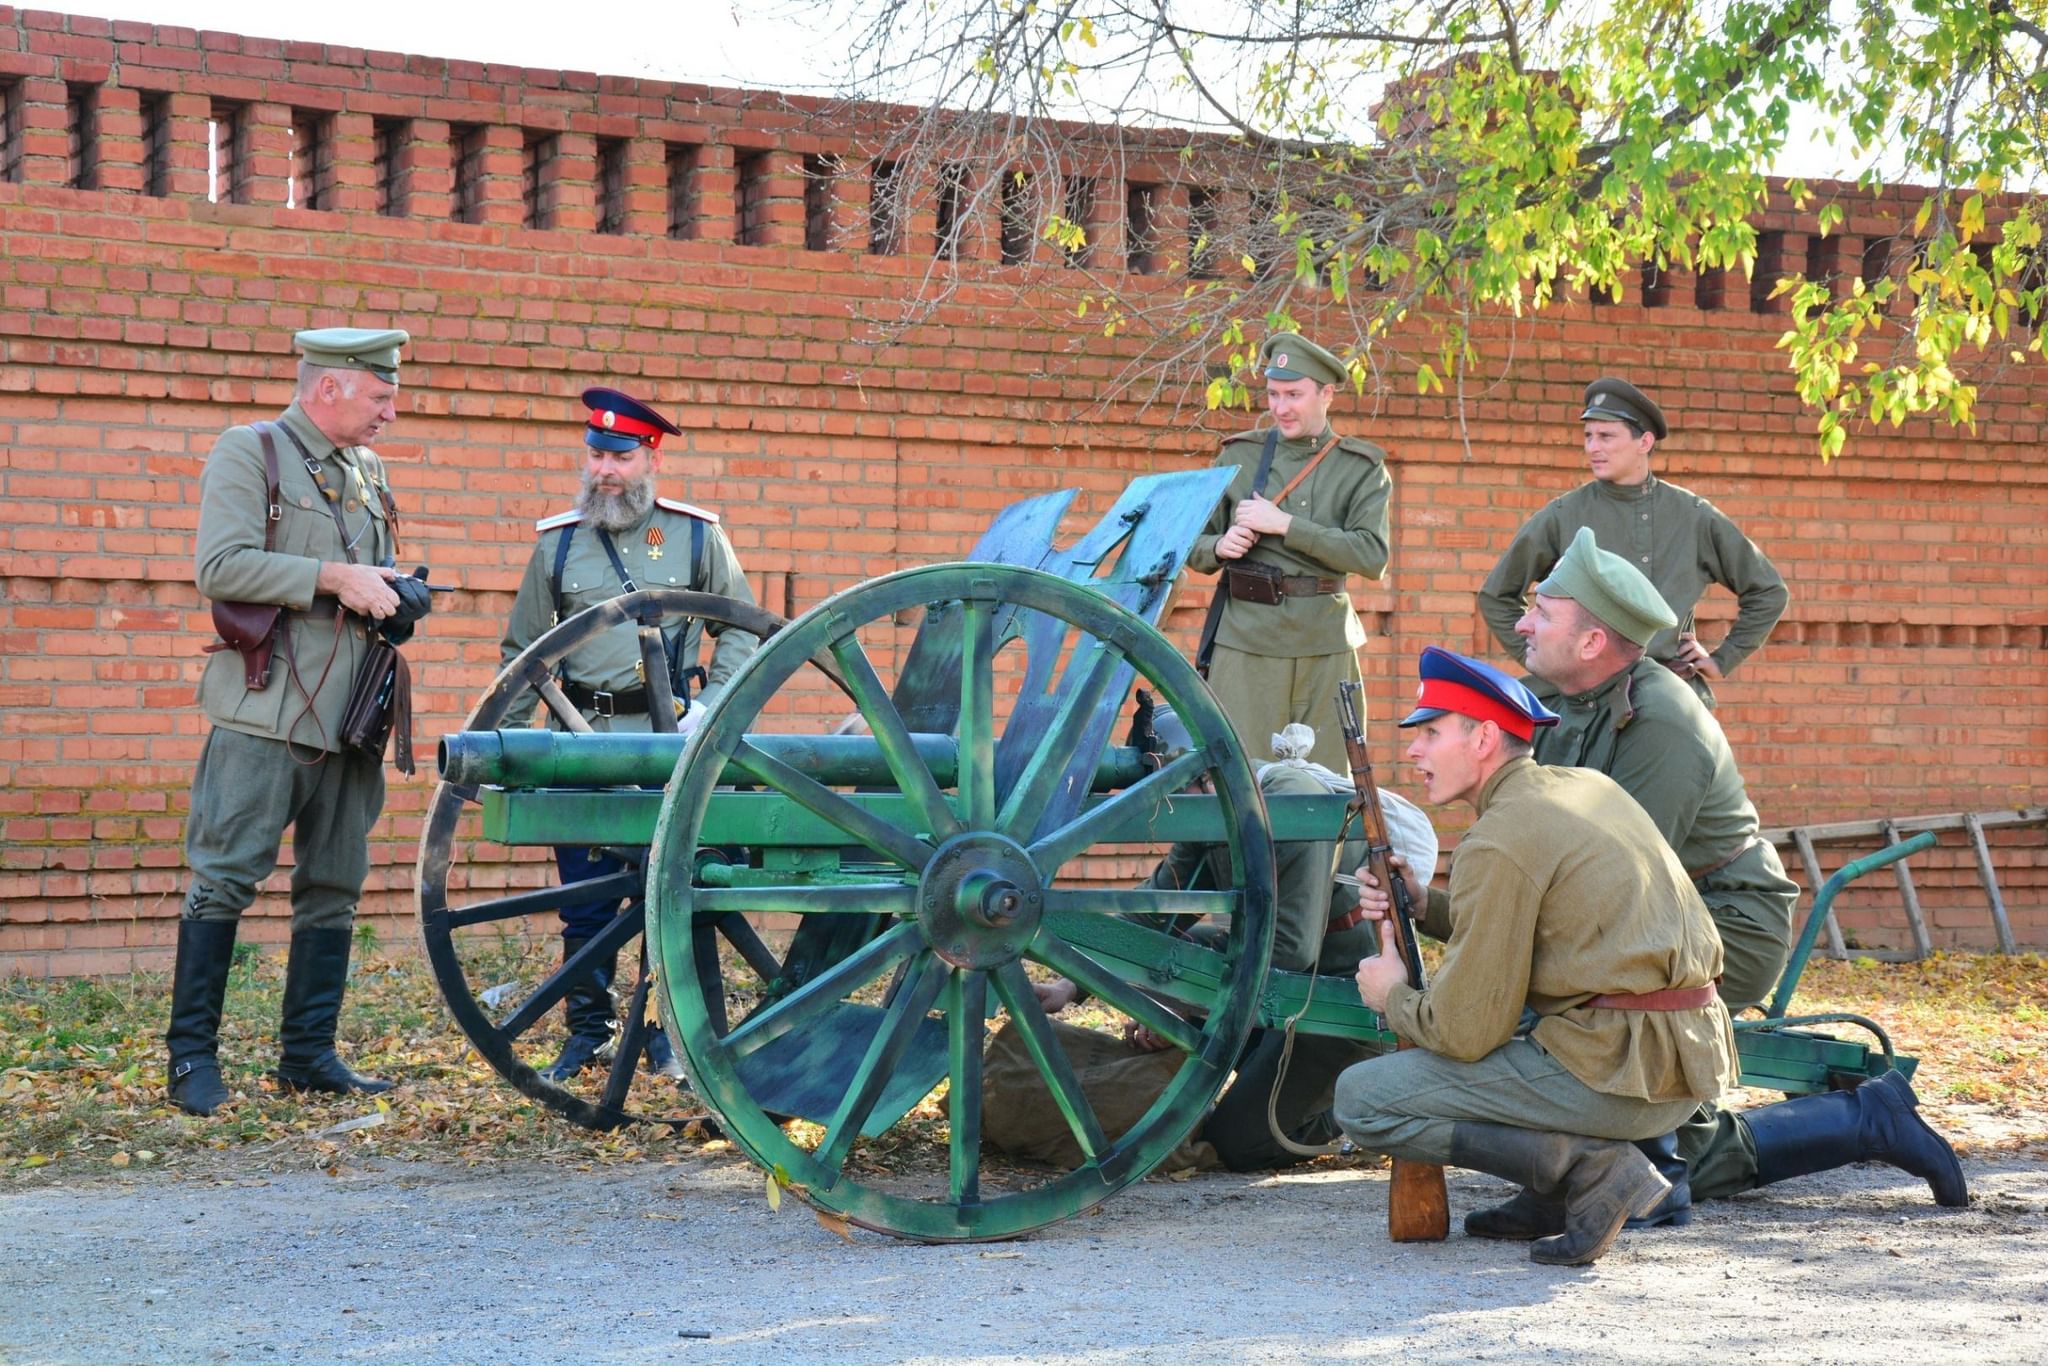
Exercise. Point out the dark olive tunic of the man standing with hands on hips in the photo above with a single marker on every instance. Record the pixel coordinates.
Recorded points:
(1678, 540)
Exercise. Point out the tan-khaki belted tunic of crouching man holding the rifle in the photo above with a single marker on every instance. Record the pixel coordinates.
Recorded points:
(1562, 892)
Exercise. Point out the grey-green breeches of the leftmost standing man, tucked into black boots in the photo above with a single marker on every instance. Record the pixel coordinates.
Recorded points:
(247, 794)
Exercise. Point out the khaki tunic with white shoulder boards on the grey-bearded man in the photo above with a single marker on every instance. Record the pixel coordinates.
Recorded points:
(613, 663)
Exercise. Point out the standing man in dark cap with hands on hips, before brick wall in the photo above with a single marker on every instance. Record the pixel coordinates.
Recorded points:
(1672, 536)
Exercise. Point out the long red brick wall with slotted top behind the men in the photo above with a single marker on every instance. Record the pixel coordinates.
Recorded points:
(138, 321)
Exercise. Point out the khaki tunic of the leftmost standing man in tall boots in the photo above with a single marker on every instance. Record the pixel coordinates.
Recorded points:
(316, 663)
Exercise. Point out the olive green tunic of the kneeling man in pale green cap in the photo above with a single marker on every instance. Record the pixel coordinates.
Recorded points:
(1652, 734)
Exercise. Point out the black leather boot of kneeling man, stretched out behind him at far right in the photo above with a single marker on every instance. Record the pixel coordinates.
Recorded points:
(1873, 1123)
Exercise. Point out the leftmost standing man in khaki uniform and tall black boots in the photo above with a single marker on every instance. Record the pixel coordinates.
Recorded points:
(294, 513)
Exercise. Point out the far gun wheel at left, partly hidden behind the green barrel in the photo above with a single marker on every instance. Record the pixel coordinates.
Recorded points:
(456, 916)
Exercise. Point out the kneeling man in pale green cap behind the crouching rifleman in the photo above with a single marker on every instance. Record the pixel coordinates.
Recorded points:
(1625, 716)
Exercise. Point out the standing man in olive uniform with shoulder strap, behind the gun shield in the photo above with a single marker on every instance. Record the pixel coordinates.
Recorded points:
(1304, 513)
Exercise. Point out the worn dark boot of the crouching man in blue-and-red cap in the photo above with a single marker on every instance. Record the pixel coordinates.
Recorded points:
(1601, 1183)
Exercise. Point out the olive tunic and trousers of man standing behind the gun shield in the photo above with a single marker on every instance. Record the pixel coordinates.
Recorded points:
(1308, 644)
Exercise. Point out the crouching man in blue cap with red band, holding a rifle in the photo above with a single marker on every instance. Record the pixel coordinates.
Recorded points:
(1564, 888)
